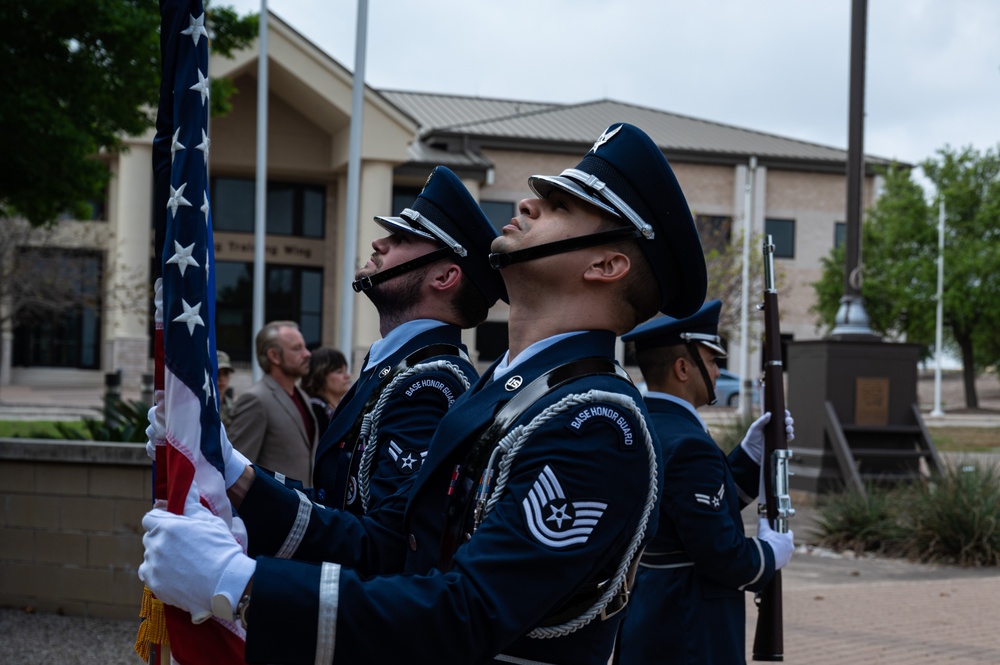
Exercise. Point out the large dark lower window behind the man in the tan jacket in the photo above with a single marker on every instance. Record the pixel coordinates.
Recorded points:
(291, 293)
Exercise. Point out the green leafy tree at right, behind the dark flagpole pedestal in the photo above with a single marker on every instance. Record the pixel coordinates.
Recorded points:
(899, 256)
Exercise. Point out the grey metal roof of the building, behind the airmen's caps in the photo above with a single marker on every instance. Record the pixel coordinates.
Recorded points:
(495, 122)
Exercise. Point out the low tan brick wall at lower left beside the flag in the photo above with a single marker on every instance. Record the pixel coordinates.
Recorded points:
(70, 526)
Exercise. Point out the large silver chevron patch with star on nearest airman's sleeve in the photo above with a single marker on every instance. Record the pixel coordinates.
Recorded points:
(555, 521)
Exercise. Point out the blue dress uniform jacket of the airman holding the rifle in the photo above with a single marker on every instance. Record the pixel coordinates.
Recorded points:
(688, 604)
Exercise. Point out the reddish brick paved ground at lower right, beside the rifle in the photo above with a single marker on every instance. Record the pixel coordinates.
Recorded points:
(841, 610)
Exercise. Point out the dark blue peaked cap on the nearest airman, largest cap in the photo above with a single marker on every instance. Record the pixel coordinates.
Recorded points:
(625, 173)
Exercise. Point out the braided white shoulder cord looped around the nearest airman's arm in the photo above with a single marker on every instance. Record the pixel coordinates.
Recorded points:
(511, 444)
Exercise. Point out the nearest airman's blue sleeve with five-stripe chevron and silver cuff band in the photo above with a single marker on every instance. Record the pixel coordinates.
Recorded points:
(567, 515)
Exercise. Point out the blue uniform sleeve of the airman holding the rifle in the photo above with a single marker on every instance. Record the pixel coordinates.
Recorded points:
(698, 501)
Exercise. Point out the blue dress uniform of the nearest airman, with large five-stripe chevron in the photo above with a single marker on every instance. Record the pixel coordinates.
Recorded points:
(578, 501)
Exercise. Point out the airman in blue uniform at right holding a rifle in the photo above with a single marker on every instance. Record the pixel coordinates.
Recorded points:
(688, 604)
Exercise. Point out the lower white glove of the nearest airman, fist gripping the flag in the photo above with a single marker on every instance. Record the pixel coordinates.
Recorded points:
(194, 563)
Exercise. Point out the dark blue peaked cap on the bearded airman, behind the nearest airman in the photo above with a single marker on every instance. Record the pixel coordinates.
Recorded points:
(446, 213)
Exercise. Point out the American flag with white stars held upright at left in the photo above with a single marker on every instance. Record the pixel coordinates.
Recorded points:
(189, 467)
